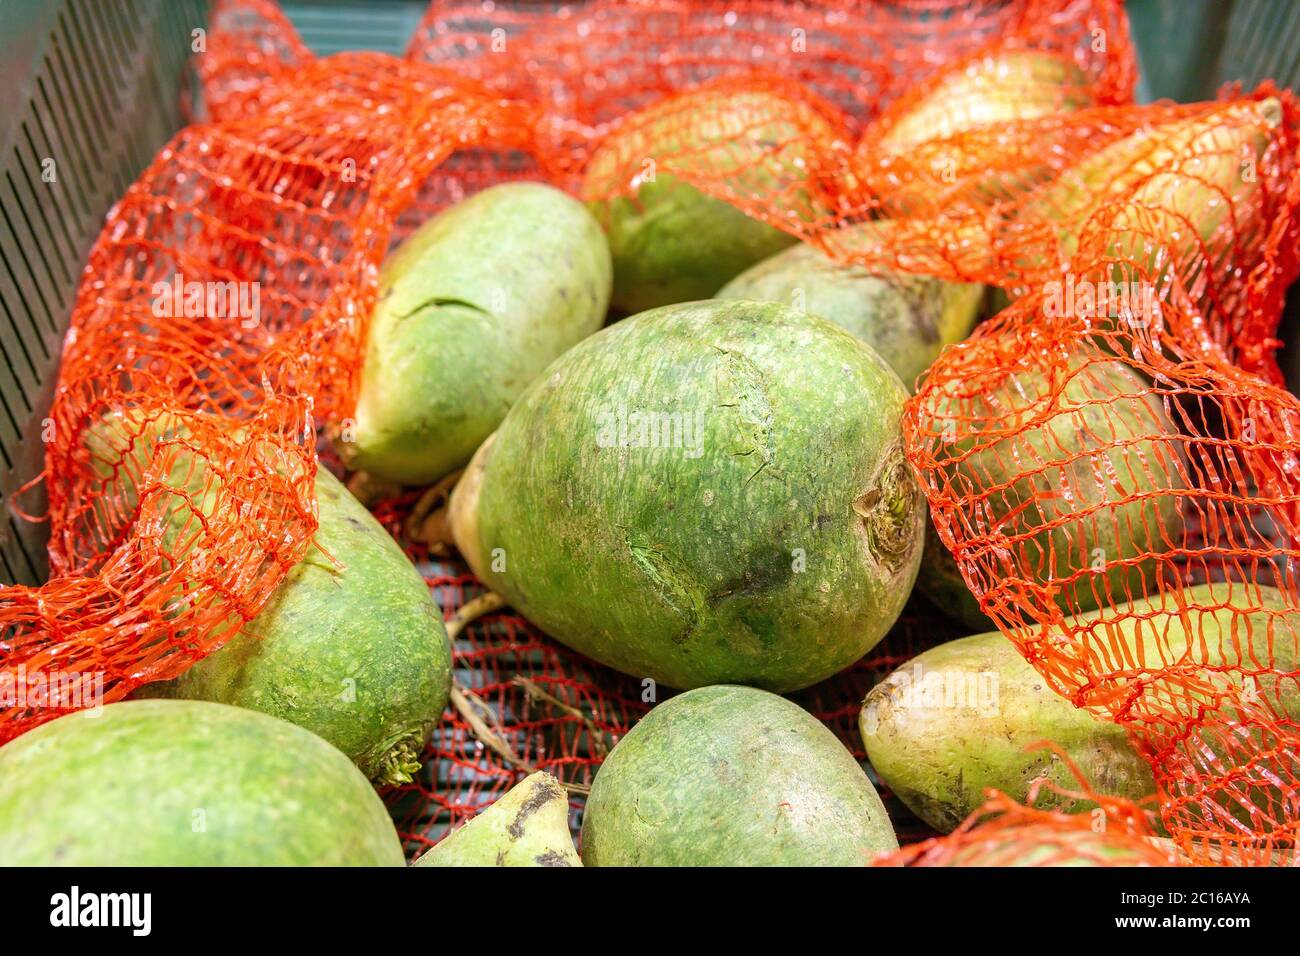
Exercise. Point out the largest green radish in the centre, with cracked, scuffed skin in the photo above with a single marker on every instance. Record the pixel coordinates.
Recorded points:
(770, 537)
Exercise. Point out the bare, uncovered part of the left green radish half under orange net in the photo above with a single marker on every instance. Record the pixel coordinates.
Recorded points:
(350, 646)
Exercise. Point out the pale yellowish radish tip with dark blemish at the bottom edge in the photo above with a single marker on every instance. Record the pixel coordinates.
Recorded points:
(527, 828)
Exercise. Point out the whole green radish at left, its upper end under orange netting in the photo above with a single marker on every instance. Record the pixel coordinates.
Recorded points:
(350, 646)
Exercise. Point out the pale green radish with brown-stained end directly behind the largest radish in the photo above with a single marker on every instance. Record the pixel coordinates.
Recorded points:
(907, 319)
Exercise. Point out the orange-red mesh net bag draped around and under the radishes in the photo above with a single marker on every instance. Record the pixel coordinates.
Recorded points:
(184, 449)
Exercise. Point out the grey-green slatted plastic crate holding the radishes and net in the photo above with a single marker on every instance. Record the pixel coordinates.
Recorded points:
(99, 85)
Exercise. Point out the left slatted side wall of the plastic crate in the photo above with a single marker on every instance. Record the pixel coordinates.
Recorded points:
(89, 92)
